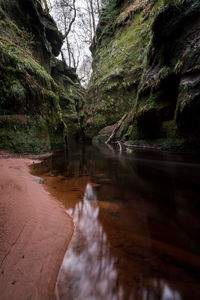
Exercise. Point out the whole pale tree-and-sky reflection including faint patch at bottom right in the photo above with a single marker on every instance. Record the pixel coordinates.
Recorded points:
(89, 268)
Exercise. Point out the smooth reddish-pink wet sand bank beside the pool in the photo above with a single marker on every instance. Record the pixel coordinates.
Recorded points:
(34, 234)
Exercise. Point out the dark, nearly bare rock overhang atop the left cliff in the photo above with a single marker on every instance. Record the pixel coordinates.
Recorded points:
(46, 39)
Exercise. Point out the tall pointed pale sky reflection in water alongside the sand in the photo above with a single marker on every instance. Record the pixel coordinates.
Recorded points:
(88, 268)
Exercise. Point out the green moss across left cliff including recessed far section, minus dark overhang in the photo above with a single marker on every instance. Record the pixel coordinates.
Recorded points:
(28, 89)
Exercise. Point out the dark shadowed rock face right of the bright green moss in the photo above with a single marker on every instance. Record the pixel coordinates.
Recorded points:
(171, 79)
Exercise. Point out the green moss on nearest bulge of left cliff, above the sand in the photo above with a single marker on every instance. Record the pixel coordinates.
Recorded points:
(26, 88)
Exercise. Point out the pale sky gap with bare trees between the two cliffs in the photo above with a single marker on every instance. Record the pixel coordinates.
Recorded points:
(77, 20)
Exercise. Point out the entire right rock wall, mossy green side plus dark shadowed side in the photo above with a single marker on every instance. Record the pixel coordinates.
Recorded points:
(146, 74)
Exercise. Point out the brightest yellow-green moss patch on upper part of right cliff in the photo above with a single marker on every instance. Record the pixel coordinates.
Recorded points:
(123, 52)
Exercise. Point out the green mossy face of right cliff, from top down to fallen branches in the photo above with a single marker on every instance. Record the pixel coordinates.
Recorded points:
(119, 64)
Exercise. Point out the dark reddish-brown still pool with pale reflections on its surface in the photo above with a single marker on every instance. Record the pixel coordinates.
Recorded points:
(137, 223)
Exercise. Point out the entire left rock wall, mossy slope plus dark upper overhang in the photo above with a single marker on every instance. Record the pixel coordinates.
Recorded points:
(33, 110)
